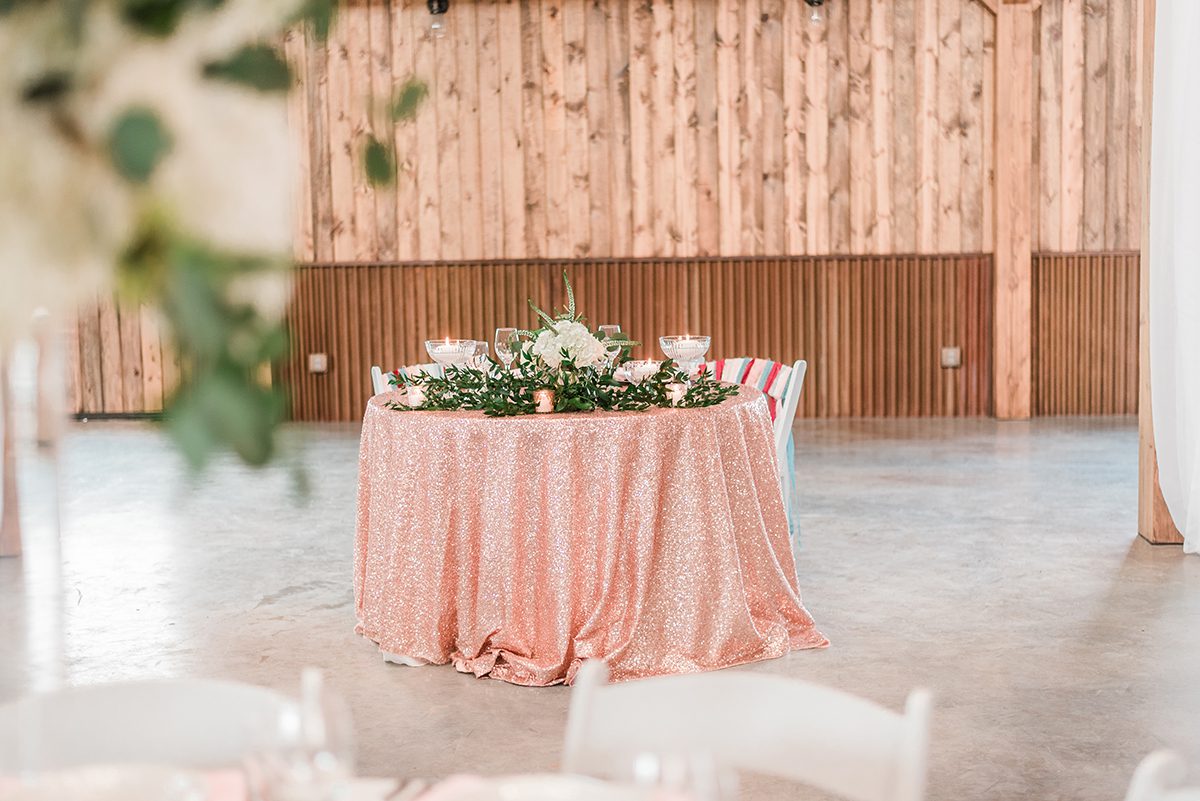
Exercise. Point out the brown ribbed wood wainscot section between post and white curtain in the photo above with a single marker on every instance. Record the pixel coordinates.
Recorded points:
(1085, 334)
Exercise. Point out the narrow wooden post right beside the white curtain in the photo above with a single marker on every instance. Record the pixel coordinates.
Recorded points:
(1155, 521)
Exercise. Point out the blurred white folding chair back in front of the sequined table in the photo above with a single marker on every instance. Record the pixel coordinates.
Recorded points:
(793, 730)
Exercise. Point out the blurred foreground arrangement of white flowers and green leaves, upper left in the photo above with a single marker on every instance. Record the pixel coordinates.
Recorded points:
(146, 149)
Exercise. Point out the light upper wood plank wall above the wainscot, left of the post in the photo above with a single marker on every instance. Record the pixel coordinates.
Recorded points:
(585, 129)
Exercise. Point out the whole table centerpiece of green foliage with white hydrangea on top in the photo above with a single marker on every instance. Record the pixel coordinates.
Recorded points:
(575, 364)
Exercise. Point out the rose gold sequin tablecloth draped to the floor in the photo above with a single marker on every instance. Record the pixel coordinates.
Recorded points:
(518, 547)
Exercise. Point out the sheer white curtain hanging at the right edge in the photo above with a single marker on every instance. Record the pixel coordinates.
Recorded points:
(1175, 262)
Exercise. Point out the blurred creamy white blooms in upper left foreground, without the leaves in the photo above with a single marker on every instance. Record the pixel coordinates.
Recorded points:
(65, 215)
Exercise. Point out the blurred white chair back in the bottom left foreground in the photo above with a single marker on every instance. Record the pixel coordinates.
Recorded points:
(194, 724)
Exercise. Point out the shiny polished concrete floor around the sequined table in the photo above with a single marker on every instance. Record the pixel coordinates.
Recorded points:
(994, 563)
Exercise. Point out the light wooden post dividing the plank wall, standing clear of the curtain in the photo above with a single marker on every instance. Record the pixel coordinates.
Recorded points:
(1012, 332)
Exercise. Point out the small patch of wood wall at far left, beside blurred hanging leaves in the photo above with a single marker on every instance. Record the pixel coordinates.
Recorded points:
(118, 360)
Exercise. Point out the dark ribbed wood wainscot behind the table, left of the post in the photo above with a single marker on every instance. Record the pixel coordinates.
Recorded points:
(871, 328)
